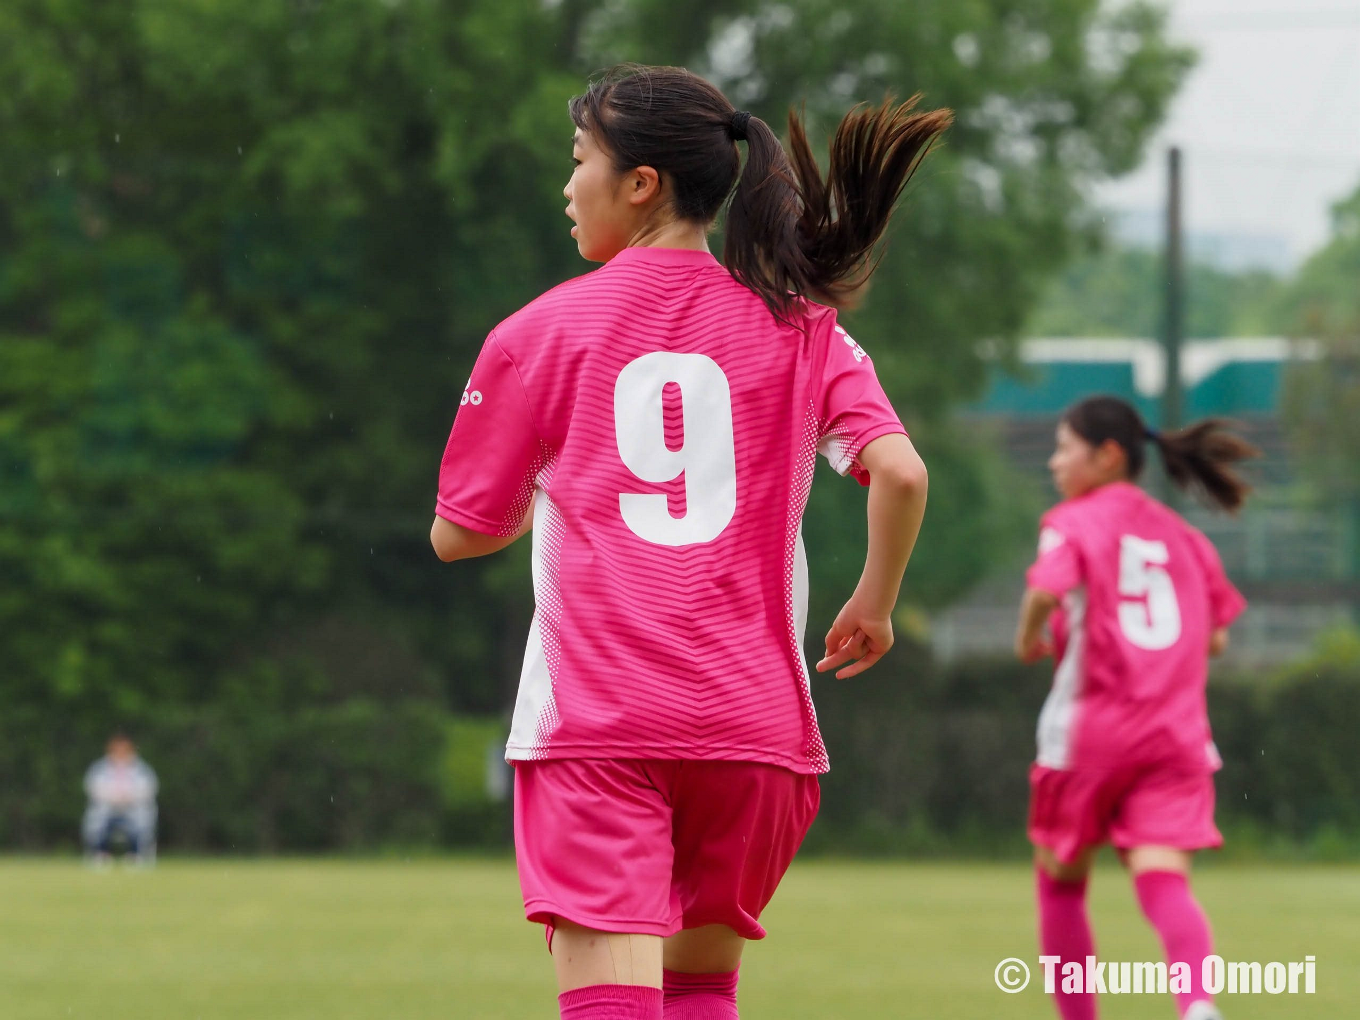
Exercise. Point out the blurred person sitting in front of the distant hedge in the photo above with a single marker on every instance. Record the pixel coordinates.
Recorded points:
(123, 800)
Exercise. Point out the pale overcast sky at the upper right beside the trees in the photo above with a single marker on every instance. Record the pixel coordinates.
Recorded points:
(1270, 120)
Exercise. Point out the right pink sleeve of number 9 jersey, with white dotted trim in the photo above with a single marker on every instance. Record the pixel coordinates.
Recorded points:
(851, 405)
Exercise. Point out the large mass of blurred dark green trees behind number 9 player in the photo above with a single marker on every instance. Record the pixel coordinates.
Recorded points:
(248, 254)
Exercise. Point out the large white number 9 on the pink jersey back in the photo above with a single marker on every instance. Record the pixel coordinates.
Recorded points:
(708, 458)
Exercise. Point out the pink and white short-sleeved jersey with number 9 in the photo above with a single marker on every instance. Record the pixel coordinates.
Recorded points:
(663, 428)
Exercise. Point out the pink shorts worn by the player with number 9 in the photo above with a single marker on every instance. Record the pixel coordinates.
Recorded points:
(651, 848)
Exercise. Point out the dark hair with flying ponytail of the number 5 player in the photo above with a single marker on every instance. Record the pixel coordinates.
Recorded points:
(1199, 458)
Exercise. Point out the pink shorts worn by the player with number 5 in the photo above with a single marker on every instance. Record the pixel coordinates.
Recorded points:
(1074, 810)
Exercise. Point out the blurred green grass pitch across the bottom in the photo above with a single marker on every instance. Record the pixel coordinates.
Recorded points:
(443, 940)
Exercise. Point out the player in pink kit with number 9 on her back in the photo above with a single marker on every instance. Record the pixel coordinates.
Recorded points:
(656, 424)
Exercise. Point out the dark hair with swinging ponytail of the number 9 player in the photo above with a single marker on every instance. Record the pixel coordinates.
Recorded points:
(791, 235)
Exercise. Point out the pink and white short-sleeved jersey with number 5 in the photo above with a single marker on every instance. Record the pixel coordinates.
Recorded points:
(1142, 595)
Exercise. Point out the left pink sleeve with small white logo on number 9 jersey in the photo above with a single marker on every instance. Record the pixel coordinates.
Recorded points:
(493, 458)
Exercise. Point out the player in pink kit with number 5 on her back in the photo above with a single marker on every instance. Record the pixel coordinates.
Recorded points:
(1138, 602)
